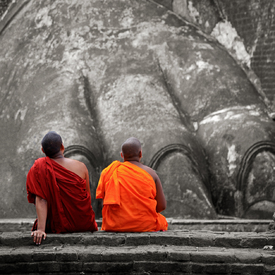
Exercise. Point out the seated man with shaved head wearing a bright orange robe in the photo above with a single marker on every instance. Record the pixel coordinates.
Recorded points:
(132, 194)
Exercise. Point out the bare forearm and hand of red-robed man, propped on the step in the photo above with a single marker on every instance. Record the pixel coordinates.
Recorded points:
(41, 210)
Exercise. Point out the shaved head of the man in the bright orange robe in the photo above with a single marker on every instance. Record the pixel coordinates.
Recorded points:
(131, 149)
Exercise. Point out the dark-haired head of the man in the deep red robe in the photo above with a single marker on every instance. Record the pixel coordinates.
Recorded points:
(51, 143)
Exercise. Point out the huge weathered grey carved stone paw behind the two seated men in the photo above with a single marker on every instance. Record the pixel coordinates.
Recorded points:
(98, 72)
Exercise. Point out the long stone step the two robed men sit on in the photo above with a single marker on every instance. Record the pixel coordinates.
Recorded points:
(174, 237)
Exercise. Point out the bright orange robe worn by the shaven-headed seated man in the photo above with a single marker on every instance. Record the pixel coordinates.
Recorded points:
(129, 199)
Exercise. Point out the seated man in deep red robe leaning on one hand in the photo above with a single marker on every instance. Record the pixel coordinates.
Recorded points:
(59, 187)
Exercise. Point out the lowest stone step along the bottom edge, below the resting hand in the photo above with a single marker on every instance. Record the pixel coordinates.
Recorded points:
(134, 259)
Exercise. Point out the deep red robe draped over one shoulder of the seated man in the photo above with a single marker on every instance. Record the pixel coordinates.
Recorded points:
(68, 201)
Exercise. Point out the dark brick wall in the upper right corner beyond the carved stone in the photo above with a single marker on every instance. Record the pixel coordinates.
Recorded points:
(254, 21)
